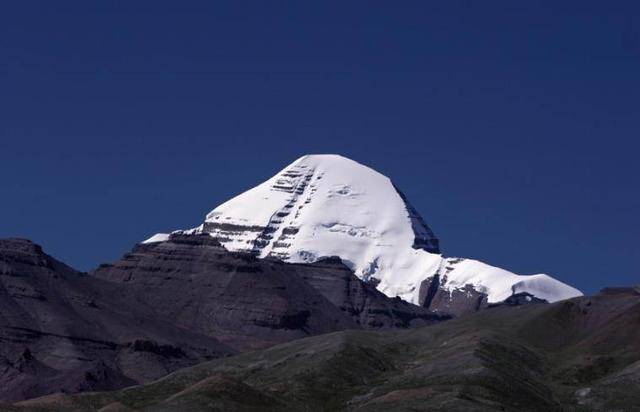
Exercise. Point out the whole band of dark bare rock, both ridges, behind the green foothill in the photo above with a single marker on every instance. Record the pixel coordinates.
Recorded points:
(166, 306)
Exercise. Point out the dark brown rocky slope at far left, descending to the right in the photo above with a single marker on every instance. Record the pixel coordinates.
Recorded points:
(61, 330)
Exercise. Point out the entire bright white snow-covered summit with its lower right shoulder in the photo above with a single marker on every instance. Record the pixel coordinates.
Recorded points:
(328, 205)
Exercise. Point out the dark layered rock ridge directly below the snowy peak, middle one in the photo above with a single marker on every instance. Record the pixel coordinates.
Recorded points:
(251, 303)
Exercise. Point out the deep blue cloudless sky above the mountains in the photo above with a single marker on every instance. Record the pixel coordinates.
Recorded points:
(513, 129)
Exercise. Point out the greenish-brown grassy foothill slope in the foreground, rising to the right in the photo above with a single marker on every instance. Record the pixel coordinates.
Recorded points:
(580, 354)
